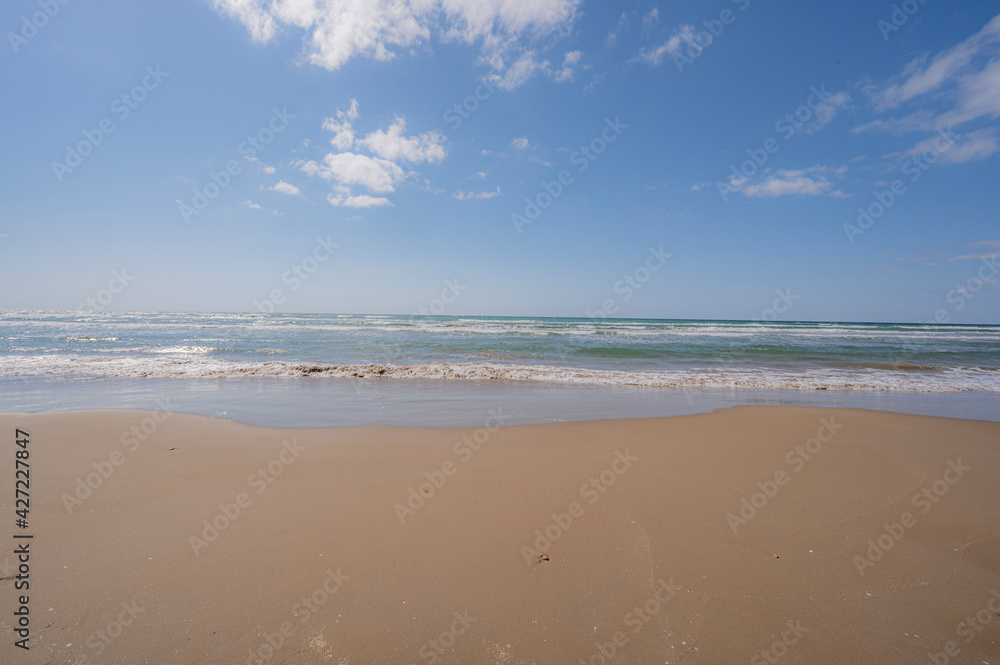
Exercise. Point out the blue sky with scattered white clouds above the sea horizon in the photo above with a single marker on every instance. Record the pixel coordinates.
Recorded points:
(731, 159)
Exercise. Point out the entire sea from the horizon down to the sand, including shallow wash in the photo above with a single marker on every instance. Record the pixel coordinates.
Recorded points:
(55, 360)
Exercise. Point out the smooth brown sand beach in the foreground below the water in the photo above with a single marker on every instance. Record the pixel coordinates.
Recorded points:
(649, 570)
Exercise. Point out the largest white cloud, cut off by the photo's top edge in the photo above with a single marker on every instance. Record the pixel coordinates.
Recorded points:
(338, 30)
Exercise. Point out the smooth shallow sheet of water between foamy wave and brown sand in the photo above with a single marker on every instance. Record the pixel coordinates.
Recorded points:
(336, 402)
